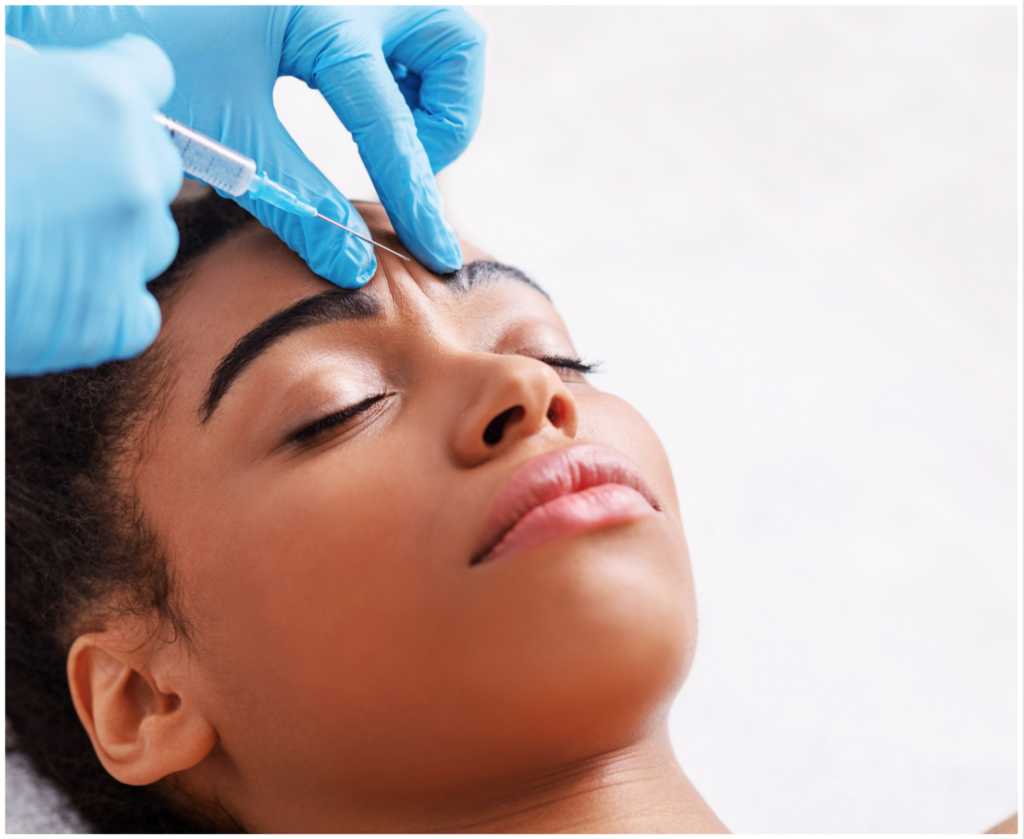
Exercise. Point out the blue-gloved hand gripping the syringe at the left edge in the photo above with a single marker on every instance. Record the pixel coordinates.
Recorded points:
(91, 176)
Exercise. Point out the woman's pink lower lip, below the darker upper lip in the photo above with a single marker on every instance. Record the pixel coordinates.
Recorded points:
(591, 510)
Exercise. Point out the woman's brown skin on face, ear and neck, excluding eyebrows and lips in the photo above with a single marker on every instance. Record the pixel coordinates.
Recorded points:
(354, 673)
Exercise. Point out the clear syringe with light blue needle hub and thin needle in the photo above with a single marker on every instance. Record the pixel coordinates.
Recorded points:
(215, 163)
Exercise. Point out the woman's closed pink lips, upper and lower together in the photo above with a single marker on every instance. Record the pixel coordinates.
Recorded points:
(569, 491)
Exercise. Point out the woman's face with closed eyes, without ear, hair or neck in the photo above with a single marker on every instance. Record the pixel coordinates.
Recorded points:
(348, 638)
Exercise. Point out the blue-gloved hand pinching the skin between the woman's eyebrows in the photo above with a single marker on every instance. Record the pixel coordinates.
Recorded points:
(407, 82)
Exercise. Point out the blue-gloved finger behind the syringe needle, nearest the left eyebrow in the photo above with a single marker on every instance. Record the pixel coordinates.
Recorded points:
(330, 253)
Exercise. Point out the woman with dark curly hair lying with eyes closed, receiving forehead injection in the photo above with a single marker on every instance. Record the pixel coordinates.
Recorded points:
(347, 561)
